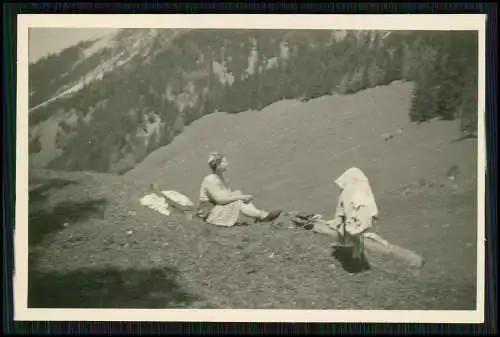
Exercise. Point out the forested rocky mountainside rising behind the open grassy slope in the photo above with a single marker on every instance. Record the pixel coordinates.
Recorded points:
(104, 105)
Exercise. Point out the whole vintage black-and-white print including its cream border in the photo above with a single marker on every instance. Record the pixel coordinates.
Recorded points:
(316, 169)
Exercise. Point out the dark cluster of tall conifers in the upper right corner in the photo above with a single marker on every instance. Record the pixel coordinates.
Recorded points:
(447, 88)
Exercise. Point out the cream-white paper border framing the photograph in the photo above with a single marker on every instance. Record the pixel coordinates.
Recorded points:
(475, 22)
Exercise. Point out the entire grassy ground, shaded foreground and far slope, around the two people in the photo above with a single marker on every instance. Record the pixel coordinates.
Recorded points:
(113, 252)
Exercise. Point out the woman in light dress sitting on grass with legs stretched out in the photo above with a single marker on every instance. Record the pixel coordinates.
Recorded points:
(219, 205)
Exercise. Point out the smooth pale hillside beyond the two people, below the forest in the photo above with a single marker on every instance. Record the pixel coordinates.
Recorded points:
(293, 147)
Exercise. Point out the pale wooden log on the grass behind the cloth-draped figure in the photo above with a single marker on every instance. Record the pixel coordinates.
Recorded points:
(375, 244)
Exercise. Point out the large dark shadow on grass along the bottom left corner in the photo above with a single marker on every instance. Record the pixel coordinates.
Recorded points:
(107, 288)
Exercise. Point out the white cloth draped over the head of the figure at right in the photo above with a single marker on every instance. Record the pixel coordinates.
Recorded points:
(356, 190)
